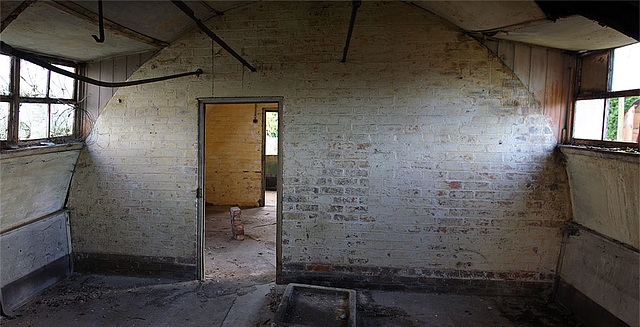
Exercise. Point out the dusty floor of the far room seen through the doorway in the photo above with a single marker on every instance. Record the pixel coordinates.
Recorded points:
(254, 257)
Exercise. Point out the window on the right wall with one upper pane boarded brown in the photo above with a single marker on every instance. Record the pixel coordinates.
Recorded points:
(606, 110)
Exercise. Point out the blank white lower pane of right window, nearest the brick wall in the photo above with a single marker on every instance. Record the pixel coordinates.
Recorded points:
(588, 119)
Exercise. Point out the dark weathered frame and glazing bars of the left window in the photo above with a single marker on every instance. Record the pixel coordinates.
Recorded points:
(14, 99)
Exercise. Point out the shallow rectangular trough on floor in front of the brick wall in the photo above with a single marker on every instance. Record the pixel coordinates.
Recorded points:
(309, 305)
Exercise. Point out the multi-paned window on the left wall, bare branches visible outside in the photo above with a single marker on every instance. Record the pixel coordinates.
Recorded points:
(36, 104)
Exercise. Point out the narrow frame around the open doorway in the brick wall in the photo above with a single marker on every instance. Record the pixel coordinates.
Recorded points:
(200, 203)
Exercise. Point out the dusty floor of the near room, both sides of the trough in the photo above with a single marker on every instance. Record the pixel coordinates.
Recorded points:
(94, 300)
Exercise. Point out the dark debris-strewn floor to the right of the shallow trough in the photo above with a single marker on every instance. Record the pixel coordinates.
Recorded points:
(381, 308)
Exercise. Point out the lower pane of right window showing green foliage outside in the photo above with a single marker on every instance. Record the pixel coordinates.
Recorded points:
(623, 118)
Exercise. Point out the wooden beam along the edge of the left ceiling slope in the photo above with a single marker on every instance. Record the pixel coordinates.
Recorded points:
(91, 17)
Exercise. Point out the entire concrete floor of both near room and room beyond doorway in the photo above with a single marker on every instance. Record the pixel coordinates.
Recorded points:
(239, 290)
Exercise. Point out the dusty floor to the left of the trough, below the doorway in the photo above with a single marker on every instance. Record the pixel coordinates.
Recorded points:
(93, 300)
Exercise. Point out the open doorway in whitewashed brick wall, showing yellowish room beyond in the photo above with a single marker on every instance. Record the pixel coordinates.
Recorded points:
(239, 166)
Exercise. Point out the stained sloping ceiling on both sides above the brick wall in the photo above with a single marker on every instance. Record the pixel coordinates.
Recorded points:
(64, 28)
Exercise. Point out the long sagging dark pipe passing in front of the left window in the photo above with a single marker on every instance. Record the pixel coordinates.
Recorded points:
(7, 49)
